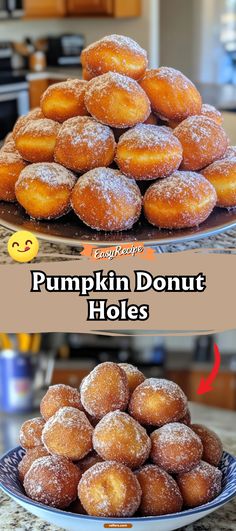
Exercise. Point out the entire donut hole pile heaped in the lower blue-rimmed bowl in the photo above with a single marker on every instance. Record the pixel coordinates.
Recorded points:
(120, 446)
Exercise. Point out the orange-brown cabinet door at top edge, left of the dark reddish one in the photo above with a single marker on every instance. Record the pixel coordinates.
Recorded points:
(44, 8)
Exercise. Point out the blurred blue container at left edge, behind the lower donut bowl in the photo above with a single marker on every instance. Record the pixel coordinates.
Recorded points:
(16, 382)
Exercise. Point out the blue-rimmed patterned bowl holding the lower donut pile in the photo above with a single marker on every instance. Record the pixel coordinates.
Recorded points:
(10, 484)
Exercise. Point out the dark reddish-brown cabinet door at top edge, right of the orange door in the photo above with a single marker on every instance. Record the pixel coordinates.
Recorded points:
(90, 7)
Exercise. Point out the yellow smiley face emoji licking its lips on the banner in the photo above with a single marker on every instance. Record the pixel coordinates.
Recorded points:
(23, 246)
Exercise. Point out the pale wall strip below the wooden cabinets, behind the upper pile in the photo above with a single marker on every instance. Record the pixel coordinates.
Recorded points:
(144, 29)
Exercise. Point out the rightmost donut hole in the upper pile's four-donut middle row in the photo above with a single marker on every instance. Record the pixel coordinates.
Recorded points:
(203, 142)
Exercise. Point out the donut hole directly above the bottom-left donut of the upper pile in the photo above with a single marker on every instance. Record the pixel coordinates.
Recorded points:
(36, 140)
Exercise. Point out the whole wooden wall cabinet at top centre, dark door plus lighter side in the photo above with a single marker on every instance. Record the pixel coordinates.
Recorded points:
(109, 8)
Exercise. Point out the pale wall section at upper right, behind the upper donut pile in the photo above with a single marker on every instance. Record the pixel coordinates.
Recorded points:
(189, 37)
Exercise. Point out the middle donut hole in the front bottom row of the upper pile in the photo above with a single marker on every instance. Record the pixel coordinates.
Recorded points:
(105, 199)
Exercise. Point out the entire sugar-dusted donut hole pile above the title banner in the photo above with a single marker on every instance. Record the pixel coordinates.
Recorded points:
(124, 140)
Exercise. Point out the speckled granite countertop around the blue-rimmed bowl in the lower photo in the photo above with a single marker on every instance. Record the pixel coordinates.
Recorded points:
(223, 422)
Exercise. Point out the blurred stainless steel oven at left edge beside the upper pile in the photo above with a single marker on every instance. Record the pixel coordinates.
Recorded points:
(14, 101)
